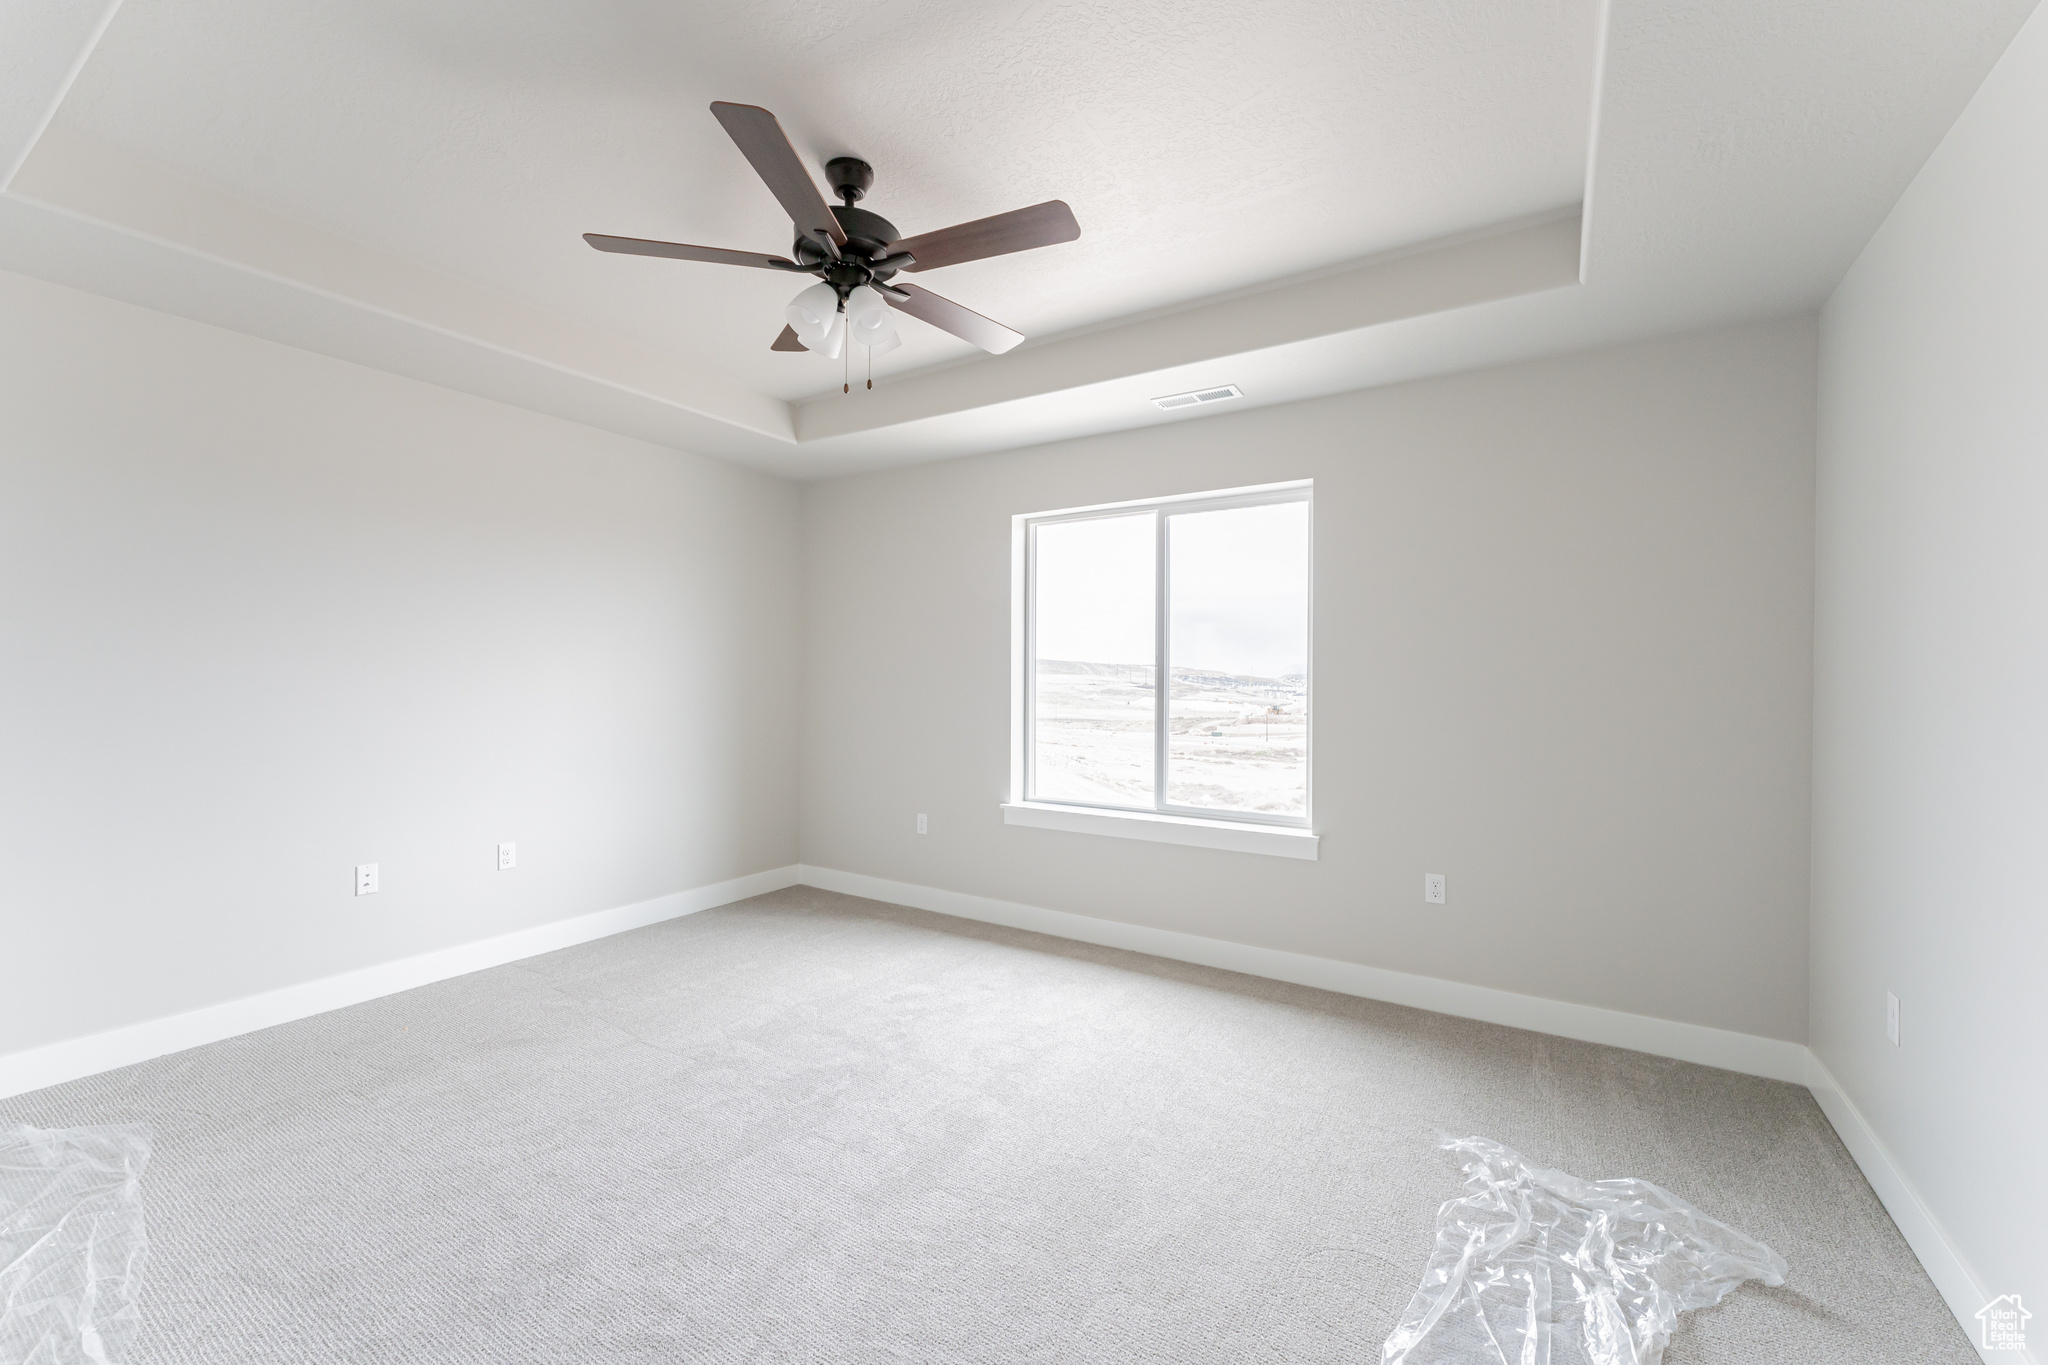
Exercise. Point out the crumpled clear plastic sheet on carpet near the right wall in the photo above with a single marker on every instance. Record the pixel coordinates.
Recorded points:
(1539, 1268)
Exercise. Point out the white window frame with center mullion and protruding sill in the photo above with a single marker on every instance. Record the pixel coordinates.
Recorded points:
(1162, 822)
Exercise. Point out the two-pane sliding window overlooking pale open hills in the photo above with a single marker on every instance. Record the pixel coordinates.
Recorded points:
(1207, 592)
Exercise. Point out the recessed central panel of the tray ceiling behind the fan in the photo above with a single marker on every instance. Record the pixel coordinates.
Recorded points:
(1203, 146)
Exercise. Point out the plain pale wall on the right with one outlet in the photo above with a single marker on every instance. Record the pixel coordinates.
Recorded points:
(1932, 682)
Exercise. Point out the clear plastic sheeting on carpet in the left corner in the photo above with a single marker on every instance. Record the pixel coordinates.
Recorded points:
(71, 1243)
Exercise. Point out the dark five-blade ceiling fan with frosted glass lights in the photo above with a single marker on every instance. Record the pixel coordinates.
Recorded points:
(855, 253)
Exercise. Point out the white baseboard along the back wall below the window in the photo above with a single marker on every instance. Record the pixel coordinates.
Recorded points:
(1689, 1043)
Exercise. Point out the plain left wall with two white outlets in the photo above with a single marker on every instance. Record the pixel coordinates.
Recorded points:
(267, 615)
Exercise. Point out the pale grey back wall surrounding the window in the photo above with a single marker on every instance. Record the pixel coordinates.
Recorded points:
(1564, 656)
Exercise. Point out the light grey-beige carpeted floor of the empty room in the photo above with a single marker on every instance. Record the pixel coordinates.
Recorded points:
(818, 1129)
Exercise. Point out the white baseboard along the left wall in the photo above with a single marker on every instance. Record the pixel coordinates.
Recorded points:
(138, 1043)
